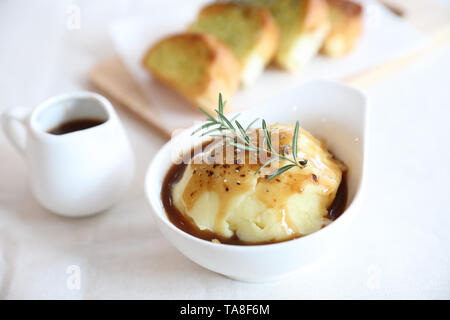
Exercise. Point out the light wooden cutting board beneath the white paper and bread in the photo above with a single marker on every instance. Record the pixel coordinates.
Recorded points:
(112, 78)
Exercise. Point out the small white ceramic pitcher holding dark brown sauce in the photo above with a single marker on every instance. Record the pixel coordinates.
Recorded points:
(78, 173)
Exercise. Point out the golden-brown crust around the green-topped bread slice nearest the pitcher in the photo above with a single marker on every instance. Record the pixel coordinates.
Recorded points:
(221, 74)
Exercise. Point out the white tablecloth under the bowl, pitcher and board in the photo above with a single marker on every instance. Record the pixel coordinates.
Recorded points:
(401, 244)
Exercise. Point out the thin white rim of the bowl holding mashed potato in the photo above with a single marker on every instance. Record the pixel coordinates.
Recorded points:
(286, 243)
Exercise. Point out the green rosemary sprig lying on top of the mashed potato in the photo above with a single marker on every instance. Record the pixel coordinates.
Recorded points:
(241, 140)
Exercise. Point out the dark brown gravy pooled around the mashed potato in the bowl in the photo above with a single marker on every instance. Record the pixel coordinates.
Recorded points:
(186, 223)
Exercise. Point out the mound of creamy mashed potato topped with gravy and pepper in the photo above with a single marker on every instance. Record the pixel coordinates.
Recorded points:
(231, 200)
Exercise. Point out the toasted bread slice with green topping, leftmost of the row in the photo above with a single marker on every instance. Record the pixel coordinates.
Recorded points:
(197, 65)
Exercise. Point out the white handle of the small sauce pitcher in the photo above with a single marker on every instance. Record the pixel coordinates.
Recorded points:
(15, 134)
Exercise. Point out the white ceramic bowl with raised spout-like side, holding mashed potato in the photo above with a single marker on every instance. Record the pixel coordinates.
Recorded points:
(331, 111)
